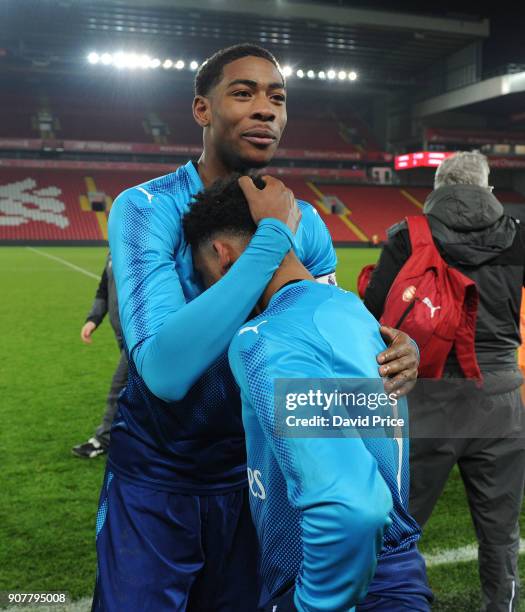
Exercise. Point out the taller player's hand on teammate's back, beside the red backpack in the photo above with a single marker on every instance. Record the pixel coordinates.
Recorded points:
(400, 361)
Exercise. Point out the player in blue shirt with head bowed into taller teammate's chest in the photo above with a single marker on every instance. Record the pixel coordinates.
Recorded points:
(330, 512)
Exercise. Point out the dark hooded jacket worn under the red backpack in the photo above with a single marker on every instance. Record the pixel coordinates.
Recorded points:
(473, 235)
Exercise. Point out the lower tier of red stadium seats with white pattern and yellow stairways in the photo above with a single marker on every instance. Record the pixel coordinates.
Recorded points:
(38, 204)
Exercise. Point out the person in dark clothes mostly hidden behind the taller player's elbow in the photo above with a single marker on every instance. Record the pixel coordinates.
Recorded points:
(105, 302)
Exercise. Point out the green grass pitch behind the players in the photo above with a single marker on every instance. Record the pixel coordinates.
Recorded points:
(52, 390)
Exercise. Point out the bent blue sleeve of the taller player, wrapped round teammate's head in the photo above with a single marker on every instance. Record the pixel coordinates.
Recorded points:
(171, 342)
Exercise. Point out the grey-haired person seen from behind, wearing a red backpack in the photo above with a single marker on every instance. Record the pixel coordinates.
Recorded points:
(452, 279)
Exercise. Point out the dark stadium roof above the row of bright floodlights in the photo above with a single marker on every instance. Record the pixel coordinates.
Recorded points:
(385, 46)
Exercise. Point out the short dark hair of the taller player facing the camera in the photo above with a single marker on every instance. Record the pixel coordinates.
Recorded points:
(210, 71)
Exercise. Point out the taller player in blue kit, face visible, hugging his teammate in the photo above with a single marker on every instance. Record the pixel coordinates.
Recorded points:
(174, 529)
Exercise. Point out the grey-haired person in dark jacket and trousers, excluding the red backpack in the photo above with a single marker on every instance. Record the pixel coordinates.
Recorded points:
(480, 430)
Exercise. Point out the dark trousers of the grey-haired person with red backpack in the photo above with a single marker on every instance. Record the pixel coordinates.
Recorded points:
(485, 437)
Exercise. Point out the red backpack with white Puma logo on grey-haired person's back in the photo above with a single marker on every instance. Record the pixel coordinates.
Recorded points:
(434, 304)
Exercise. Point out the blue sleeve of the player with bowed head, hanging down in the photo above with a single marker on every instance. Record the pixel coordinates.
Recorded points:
(334, 482)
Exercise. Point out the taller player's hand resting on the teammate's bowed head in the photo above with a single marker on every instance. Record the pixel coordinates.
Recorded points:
(275, 201)
